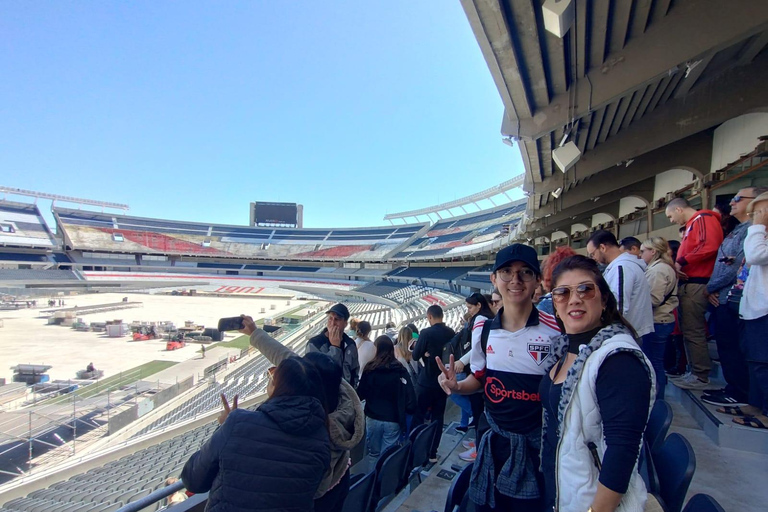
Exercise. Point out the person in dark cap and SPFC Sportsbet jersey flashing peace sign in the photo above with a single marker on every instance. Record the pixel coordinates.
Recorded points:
(510, 354)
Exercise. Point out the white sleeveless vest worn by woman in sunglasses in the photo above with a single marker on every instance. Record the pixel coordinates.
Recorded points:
(575, 470)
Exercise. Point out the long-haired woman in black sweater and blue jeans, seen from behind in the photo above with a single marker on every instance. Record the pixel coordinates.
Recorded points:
(389, 397)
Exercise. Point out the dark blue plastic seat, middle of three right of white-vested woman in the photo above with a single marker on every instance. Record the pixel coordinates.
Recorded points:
(675, 464)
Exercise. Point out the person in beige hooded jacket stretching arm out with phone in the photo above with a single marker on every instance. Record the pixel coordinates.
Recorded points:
(346, 421)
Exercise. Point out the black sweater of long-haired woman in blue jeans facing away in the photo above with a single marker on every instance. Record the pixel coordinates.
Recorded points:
(388, 393)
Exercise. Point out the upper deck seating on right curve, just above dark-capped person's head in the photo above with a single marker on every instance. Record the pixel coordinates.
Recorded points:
(463, 234)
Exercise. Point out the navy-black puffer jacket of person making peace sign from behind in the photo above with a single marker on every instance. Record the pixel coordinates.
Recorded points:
(271, 459)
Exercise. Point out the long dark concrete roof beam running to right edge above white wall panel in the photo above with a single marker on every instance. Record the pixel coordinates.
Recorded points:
(738, 91)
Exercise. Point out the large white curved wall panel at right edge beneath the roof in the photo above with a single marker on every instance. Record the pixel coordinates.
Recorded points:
(737, 137)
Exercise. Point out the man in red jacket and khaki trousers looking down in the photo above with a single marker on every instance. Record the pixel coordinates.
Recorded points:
(702, 237)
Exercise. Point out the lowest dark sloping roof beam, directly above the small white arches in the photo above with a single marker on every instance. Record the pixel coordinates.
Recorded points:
(693, 153)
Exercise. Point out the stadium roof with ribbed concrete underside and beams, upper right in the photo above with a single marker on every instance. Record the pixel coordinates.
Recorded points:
(626, 79)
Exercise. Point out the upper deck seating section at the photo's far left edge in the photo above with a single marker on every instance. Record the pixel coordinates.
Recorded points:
(22, 225)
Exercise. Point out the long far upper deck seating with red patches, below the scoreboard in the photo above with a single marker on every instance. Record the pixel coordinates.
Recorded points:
(92, 231)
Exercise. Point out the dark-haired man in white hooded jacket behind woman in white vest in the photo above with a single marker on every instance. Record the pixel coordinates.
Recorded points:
(625, 275)
